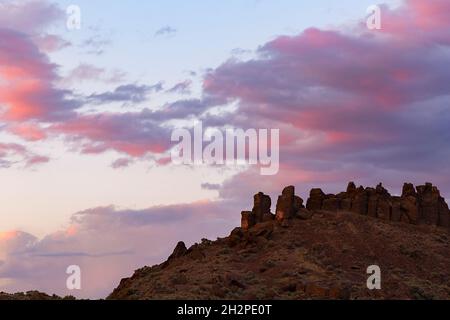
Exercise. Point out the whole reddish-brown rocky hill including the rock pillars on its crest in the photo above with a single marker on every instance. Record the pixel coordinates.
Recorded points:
(320, 250)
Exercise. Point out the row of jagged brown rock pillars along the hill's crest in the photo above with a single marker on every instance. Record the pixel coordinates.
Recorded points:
(417, 205)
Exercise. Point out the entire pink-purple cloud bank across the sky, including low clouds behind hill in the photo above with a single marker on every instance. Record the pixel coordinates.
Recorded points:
(350, 104)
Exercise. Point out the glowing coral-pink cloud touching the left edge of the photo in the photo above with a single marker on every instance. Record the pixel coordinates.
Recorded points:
(27, 76)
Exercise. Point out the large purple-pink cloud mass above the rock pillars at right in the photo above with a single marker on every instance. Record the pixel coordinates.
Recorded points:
(365, 100)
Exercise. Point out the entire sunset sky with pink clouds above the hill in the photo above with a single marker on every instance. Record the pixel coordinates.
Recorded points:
(86, 116)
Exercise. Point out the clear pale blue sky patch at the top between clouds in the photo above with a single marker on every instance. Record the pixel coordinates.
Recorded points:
(207, 31)
